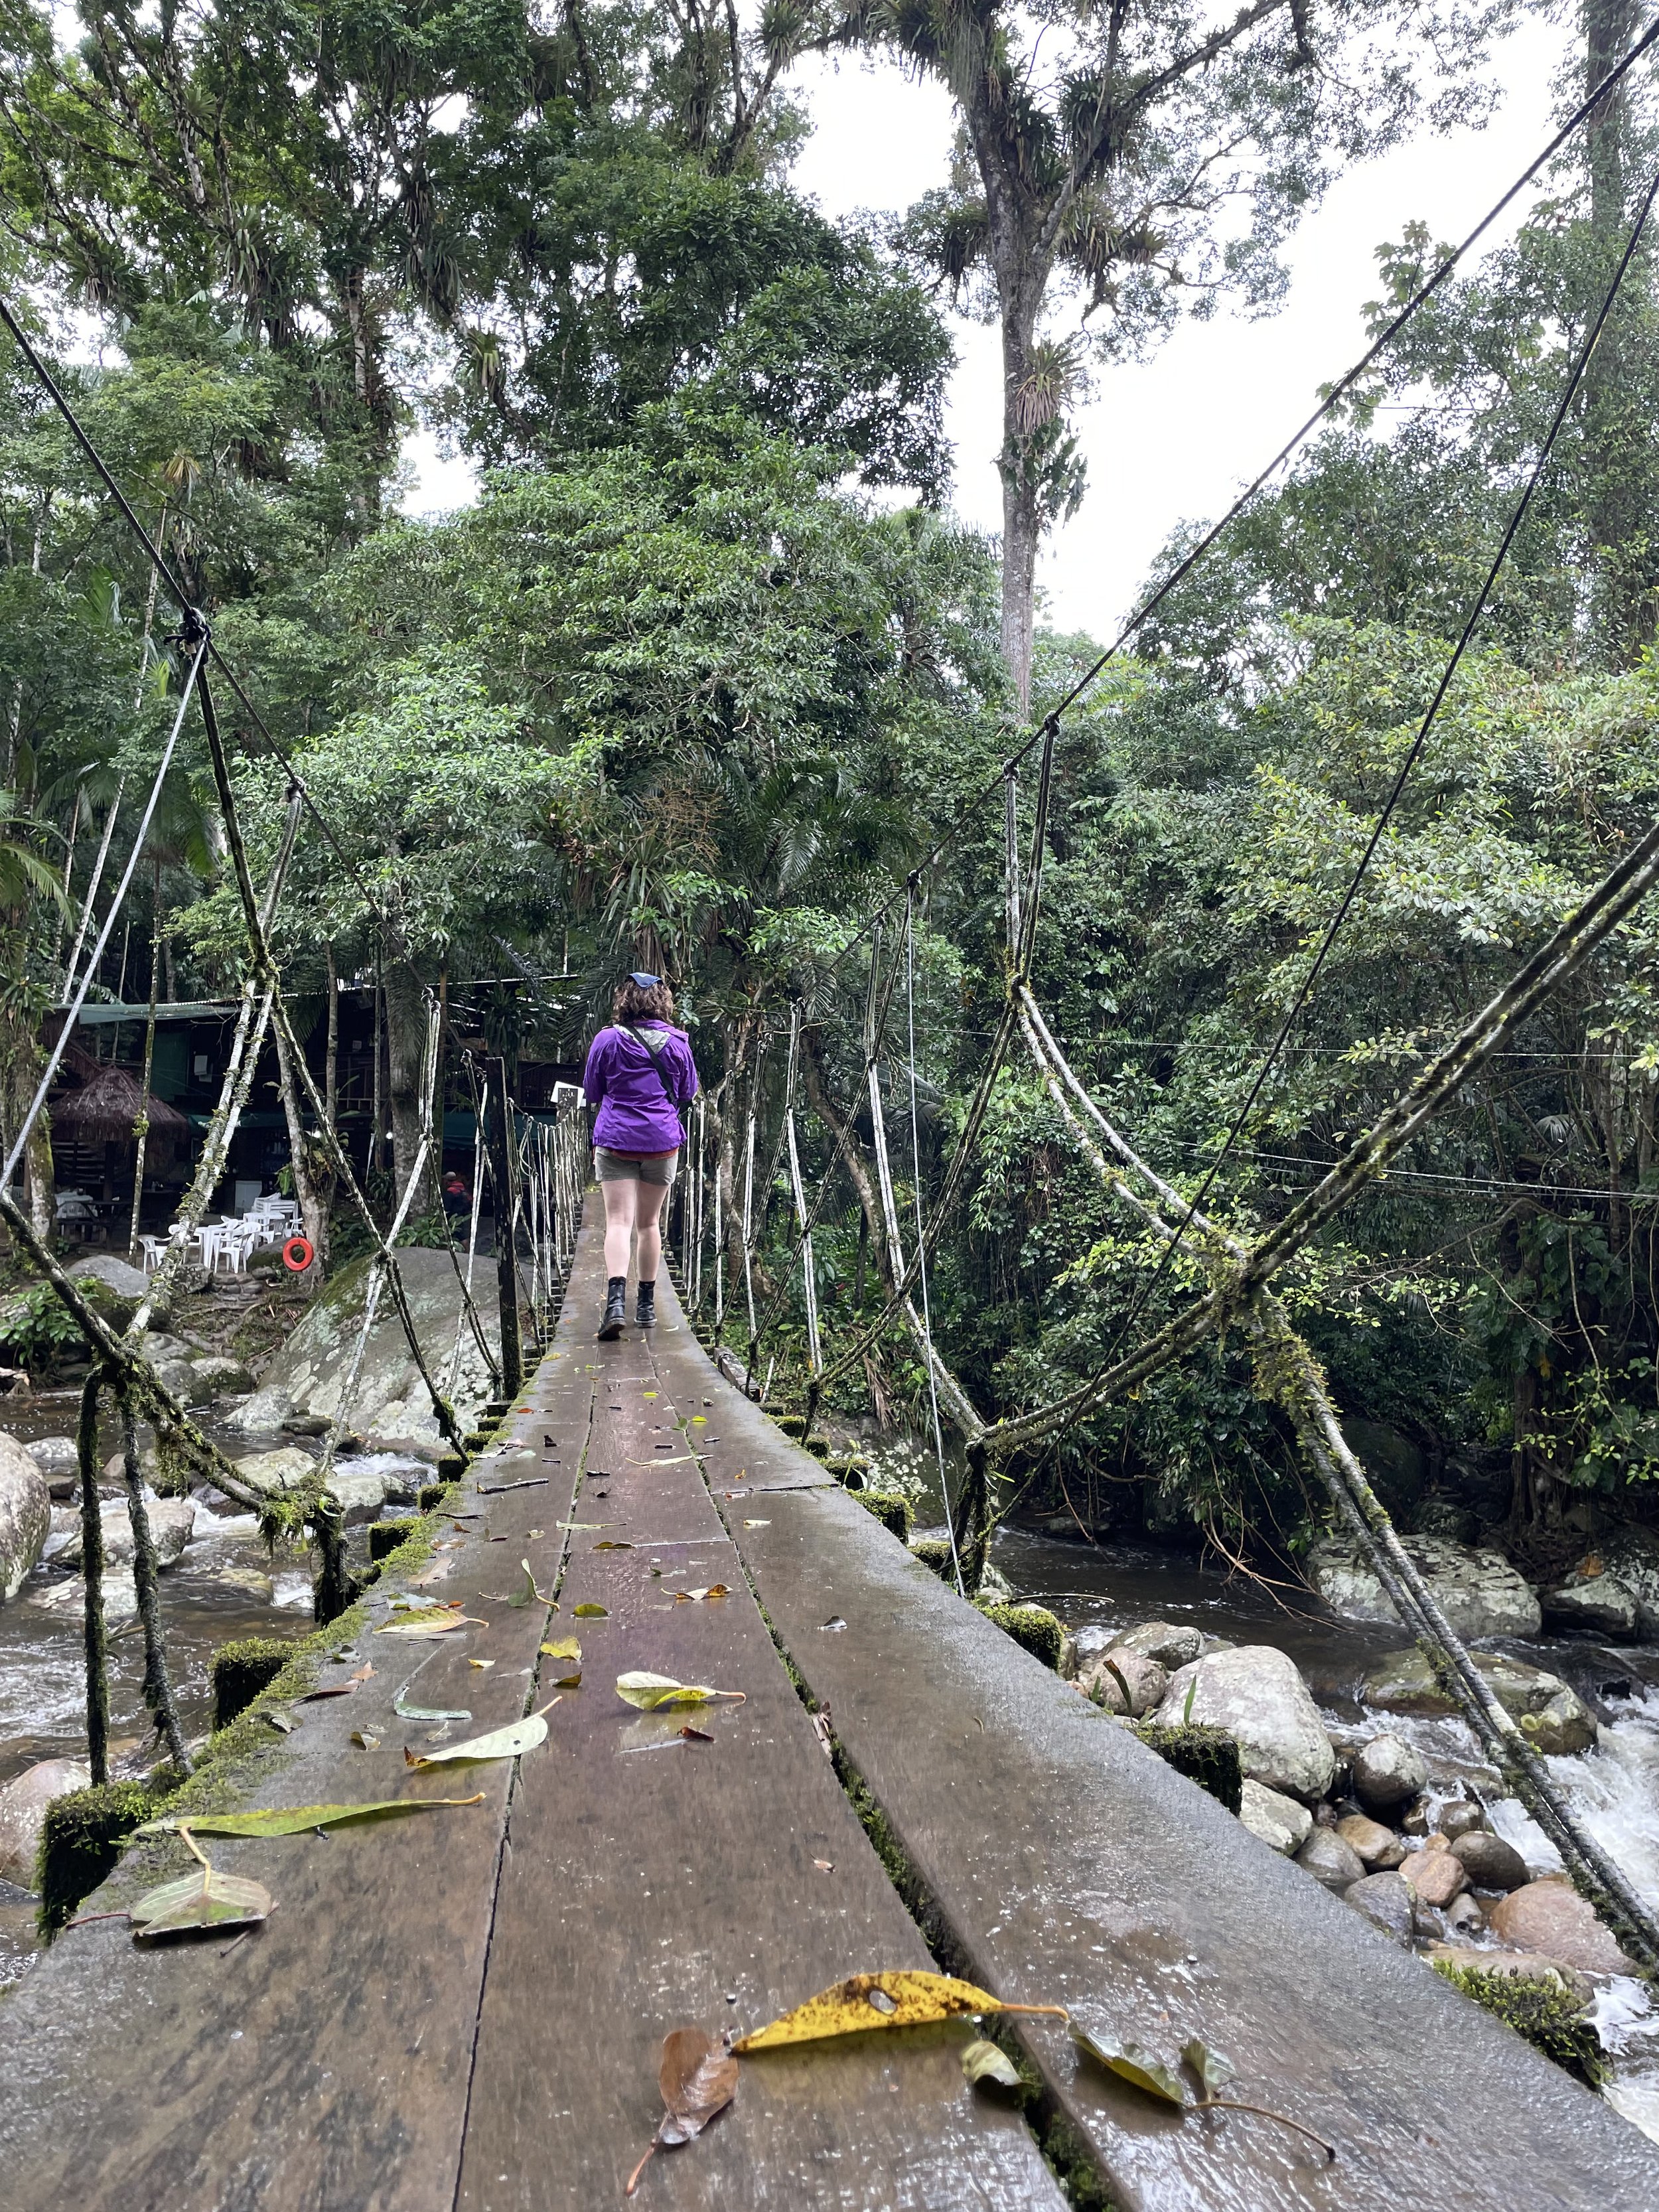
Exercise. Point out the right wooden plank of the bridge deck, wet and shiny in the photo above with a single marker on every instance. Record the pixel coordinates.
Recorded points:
(1072, 1866)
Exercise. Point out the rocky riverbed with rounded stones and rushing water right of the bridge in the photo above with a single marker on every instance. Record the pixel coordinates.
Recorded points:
(1361, 1773)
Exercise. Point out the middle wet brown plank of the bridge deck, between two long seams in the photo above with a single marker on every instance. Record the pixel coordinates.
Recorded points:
(658, 1884)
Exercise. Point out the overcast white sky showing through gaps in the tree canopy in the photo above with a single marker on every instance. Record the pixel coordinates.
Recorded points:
(1178, 437)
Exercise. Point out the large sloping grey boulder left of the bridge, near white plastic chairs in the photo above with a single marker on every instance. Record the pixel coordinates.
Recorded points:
(388, 1397)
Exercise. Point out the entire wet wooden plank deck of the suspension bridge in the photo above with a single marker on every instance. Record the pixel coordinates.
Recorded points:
(466, 2010)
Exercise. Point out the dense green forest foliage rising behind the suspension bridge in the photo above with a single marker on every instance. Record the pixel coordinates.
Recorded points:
(691, 687)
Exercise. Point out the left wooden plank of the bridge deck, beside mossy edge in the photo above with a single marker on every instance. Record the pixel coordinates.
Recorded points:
(322, 2063)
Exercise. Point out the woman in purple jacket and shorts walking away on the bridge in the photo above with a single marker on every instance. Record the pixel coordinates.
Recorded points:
(640, 1074)
